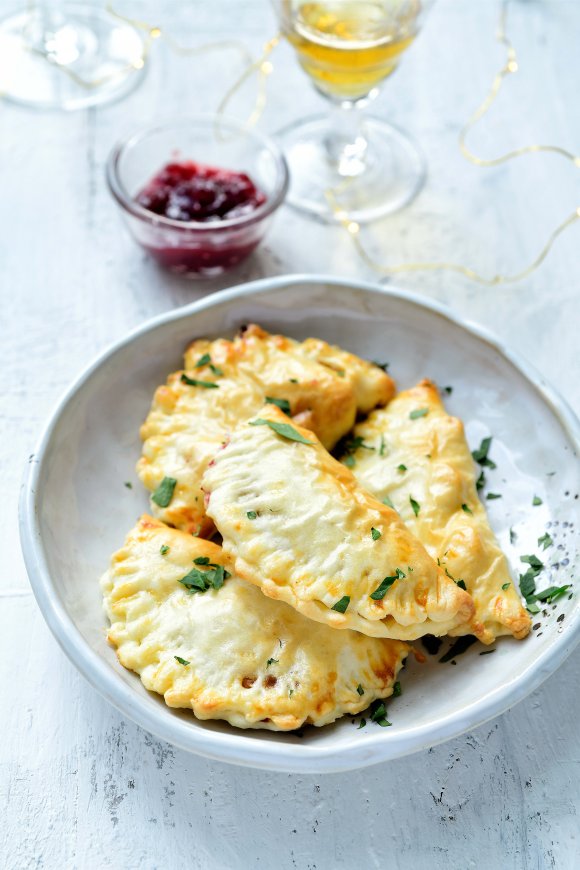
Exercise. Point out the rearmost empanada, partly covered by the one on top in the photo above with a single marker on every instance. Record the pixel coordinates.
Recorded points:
(225, 382)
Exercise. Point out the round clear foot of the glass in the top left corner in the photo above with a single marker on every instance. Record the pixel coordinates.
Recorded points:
(82, 57)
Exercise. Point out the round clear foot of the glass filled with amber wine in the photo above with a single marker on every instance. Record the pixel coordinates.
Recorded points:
(390, 175)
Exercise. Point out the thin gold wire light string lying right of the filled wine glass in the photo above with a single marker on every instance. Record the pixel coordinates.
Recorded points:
(509, 68)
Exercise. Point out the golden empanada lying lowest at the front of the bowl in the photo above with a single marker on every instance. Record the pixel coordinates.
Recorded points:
(232, 653)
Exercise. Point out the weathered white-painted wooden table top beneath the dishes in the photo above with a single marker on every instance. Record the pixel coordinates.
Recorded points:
(81, 786)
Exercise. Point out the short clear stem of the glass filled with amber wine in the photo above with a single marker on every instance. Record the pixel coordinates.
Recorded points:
(346, 144)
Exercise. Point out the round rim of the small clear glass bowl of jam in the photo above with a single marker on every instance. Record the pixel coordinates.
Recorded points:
(129, 204)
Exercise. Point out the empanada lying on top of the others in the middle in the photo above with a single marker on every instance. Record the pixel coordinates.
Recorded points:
(299, 525)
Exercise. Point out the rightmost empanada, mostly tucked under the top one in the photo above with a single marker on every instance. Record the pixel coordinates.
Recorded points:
(413, 448)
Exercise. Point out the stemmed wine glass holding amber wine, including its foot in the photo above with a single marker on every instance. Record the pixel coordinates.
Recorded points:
(346, 164)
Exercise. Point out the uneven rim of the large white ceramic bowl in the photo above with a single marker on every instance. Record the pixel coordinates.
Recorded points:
(234, 747)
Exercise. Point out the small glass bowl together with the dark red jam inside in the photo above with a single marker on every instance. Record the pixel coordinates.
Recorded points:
(212, 200)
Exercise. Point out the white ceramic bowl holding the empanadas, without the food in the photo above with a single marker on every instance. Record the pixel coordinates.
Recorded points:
(75, 509)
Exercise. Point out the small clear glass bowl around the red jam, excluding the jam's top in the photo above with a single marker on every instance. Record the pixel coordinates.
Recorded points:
(195, 248)
